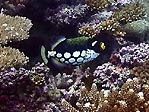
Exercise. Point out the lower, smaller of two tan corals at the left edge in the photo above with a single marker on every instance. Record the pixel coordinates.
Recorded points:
(11, 57)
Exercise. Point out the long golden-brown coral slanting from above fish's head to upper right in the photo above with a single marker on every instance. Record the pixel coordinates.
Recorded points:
(130, 12)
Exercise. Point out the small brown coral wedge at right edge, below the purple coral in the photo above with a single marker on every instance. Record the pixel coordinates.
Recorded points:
(142, 72)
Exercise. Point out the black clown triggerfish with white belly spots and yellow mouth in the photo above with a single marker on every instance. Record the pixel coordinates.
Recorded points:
(73, 51)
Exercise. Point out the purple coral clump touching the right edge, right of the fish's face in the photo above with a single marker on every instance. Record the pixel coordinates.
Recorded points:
(131, 56)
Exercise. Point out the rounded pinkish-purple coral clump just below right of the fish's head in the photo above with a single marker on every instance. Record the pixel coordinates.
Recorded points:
(108, 76)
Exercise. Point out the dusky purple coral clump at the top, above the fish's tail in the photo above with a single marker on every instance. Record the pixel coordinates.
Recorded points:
(66, 14)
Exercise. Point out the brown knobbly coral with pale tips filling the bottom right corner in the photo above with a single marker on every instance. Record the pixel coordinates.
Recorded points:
(131, 98)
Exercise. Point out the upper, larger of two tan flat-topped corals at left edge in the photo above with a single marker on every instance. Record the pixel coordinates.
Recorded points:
(13, 28)
